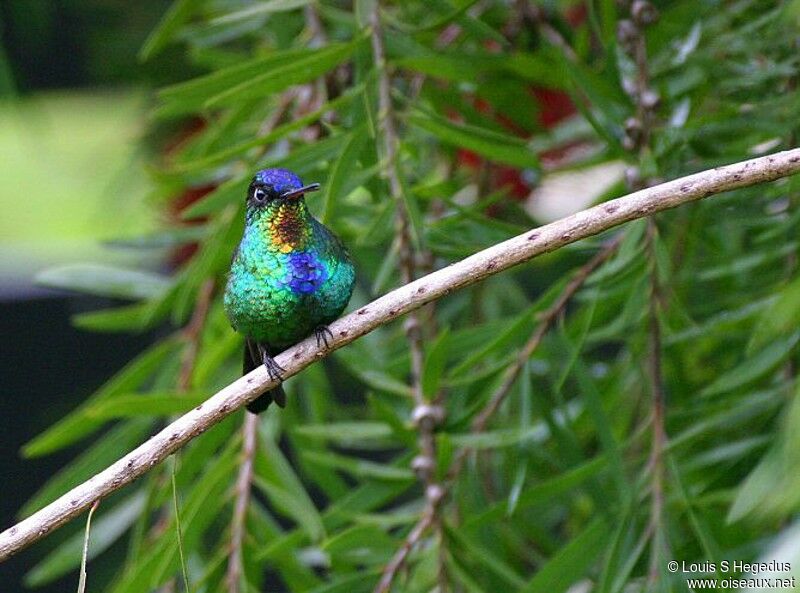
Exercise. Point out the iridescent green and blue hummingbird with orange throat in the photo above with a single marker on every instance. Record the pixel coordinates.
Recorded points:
(290, 276)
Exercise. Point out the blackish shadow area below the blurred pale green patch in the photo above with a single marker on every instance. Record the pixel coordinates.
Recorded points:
(48, 367)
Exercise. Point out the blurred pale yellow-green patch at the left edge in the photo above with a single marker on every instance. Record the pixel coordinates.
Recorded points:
(58, 202)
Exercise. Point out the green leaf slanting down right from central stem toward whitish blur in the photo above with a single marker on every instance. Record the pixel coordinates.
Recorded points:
(493, 145)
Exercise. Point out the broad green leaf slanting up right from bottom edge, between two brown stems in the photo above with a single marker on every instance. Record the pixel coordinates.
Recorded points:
(571, 562)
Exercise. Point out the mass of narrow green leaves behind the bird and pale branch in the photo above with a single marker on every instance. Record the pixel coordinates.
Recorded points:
(558, 487)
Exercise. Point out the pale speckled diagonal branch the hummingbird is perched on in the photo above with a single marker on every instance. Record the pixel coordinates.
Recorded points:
(407, 298)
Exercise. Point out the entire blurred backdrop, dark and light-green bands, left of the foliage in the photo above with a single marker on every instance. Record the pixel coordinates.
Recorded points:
(73, 102)
